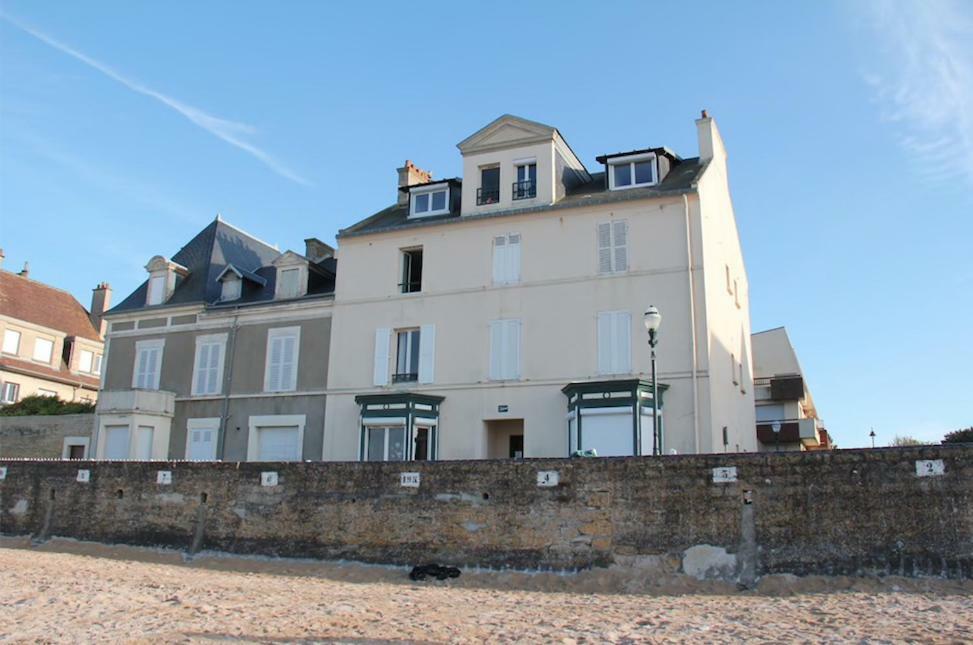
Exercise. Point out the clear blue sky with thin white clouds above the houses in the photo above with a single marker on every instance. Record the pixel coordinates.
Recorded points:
(125, 127)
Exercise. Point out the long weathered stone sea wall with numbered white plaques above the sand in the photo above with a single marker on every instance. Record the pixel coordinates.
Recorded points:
(846, 512)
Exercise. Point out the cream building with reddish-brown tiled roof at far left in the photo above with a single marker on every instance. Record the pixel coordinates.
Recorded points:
(52, 345)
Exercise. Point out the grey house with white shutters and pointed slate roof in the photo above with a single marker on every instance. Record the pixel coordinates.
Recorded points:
(221, 353)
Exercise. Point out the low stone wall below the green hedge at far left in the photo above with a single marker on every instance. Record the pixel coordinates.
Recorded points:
(41, 436)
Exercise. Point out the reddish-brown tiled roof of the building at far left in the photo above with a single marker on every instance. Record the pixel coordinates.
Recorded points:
(37, 303)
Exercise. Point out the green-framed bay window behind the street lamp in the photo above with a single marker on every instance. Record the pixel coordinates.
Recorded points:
(613, 418)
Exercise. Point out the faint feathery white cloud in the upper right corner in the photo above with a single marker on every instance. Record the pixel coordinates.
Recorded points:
(925, 86)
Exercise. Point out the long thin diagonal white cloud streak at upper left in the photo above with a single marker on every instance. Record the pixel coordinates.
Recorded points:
(231, 132)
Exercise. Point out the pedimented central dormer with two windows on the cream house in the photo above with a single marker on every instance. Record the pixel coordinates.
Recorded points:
(517, 163)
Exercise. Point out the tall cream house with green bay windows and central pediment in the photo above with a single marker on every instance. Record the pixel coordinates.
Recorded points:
(499, 314)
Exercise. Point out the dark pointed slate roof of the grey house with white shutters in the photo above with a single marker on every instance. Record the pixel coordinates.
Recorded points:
(208, 254)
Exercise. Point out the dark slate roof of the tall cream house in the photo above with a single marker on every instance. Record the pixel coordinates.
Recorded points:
(681, 179)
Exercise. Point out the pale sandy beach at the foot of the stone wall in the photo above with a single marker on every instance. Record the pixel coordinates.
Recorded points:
(69, 591)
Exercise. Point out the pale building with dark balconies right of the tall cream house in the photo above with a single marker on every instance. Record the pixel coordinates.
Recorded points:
(787, 418)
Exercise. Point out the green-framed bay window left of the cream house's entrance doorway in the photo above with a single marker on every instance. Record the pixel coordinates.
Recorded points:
(399, 427)
